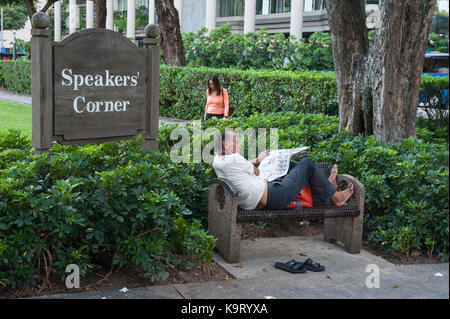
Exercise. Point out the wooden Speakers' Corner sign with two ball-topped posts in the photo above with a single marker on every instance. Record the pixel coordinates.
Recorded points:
(93, 86)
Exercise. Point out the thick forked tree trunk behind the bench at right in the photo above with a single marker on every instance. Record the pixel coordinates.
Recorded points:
(378, 88)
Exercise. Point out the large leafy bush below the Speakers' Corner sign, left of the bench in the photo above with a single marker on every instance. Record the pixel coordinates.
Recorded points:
(84, 204)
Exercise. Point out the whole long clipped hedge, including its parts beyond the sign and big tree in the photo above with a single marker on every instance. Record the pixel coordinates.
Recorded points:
(182, 93)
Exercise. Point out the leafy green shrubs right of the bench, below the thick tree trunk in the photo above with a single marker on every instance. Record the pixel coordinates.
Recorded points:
(406, 189)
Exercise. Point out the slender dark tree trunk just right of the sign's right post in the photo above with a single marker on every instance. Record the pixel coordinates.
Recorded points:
(171, 40)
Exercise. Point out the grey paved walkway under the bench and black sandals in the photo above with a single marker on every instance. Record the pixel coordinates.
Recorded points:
(344, 277)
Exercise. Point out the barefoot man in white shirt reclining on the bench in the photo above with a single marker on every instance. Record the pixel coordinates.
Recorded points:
(254, 190)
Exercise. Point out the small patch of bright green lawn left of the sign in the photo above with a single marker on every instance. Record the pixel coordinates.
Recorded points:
(15, 116)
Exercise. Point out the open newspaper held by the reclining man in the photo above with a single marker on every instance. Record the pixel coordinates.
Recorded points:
(276, 164)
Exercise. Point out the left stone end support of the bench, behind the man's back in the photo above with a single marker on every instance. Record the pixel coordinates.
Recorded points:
(222, 213)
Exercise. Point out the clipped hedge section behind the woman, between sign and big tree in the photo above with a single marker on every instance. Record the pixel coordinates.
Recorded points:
(182, 93)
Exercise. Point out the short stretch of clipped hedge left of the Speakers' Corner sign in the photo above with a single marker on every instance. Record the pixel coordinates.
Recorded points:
(16, 76)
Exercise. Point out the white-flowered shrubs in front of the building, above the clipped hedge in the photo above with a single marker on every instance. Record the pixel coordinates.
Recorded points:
(224, 49)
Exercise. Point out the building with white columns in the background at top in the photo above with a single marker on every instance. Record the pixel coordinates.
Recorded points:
(291, 17)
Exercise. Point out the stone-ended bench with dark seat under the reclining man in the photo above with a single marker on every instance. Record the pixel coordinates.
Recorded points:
(341, 224)
